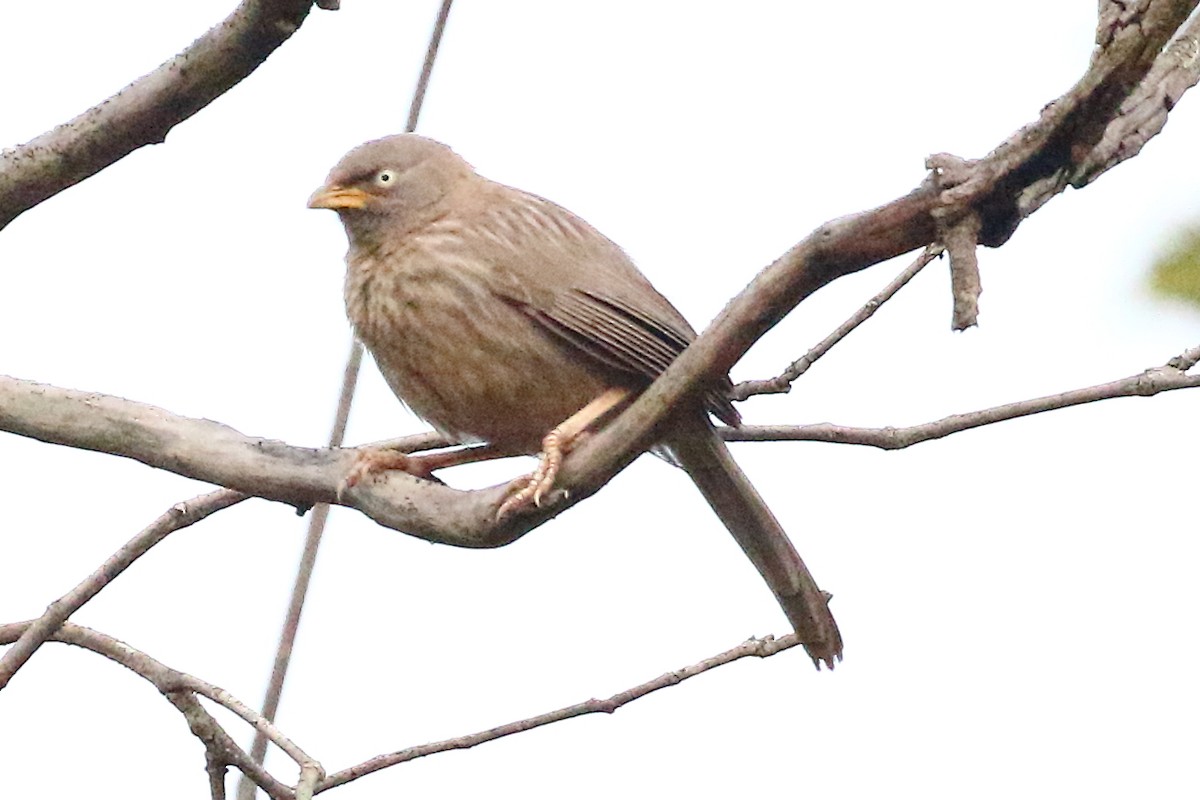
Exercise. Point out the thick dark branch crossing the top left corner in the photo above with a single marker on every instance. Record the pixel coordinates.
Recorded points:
(146, 111)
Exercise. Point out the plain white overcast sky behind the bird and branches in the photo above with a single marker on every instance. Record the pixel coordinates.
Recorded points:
(1018, 603)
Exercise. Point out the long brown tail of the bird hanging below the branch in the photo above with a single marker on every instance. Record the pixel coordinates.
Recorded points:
(711, 466)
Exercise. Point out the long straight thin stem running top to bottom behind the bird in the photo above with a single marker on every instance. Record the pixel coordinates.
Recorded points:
(247, 787)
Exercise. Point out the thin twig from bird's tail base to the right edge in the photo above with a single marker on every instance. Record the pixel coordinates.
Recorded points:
(1147, 384)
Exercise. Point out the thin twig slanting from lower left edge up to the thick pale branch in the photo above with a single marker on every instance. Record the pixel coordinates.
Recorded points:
(179, 516)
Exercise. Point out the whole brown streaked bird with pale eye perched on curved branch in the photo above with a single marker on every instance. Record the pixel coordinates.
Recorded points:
(502, 318)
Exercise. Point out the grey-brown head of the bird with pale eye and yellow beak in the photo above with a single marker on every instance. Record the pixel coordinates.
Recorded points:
(391, 187)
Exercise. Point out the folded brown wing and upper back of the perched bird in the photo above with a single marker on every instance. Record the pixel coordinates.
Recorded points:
(585, 291)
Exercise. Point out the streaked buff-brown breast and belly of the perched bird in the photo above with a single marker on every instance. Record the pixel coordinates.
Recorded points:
(471, 364)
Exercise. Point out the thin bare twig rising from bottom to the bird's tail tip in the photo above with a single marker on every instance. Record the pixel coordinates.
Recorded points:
(758, 648)
